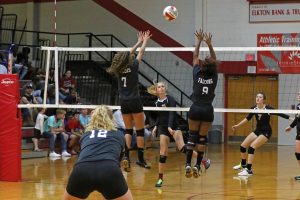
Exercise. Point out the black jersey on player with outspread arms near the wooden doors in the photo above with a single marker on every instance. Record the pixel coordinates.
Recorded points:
(263, 119)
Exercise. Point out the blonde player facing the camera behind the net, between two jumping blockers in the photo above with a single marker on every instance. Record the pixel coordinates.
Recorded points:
(167, 128)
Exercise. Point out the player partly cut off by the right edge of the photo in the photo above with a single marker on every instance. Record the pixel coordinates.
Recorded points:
(296, 122)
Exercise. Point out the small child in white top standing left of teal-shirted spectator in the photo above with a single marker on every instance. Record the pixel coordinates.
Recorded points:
(38, 128)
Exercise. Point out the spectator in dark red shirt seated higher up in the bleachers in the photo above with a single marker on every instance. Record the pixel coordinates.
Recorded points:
(66, 84)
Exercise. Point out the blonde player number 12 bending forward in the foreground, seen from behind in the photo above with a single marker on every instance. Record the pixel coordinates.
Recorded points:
(98, 164)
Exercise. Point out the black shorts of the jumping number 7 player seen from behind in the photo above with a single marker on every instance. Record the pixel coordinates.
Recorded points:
(131, 106)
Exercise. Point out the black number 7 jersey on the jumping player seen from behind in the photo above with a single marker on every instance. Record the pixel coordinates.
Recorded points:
(128, 82)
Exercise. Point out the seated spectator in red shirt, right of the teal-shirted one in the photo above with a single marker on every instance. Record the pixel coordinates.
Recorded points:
(75, 131)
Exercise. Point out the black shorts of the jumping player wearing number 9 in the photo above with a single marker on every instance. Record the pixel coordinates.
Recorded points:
(201, 112)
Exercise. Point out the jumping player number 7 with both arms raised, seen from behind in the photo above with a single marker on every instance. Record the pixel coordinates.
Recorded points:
(125, 66)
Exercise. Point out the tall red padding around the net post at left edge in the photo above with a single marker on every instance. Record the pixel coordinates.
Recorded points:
(10, 128)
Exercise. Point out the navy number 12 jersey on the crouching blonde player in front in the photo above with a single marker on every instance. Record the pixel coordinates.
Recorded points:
(98, 145)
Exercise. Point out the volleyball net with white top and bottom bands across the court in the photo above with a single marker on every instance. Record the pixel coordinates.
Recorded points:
(243, 72)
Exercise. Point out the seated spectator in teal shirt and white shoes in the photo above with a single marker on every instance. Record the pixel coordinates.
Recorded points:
(53, 127)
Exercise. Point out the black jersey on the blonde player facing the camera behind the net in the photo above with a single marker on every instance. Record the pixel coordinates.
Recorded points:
(166, 118)
